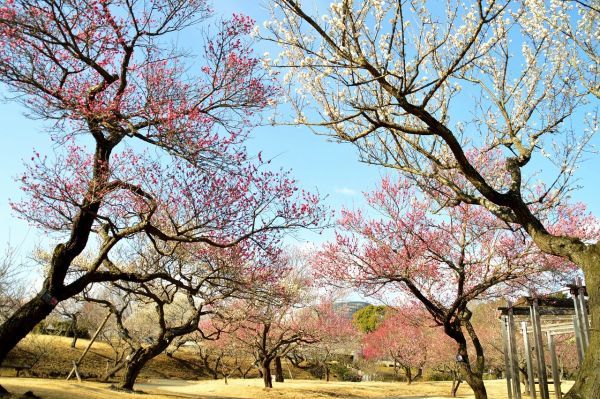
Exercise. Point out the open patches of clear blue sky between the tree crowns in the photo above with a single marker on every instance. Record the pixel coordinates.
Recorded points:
(331, 168)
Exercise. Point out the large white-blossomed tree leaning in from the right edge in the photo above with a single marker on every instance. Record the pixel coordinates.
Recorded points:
(429, 88)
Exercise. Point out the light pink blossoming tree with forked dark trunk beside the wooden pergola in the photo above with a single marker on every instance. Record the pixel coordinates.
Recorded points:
(443, 258)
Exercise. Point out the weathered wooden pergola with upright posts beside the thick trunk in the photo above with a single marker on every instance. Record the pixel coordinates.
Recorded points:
(539, 317)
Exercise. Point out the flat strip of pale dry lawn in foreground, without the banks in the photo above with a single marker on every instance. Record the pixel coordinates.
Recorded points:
(248, 389)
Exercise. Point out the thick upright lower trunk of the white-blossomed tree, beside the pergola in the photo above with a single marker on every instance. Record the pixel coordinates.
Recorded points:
(587, 383)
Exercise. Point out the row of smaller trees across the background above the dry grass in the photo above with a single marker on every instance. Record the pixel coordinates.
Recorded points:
(253, 331)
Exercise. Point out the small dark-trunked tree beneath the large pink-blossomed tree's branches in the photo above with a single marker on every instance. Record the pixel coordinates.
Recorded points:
(151, 315)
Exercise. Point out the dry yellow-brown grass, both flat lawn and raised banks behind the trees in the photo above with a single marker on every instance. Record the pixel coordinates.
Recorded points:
(166, 377)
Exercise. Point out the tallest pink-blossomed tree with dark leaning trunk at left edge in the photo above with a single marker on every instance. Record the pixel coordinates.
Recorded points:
(166, 160)
